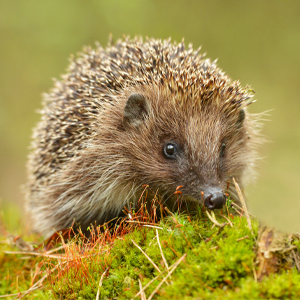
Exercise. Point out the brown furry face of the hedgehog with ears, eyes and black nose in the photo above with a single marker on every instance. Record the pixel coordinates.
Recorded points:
(198, 149)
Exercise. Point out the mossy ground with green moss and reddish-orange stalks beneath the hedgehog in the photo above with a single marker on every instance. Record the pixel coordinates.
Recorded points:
(216, 263)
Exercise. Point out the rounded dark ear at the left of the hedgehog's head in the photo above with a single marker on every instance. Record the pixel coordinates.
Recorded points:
(136, 110)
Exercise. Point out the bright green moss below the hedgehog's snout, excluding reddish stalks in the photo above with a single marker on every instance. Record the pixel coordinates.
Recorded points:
(216, 265)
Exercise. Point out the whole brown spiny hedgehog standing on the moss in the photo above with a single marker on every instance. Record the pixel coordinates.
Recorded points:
(138, 112)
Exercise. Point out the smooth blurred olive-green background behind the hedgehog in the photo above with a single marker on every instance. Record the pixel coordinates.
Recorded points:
(257, 42)
